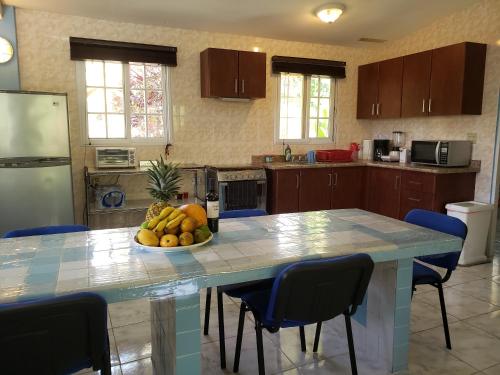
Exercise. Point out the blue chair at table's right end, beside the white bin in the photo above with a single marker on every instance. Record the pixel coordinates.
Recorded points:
(422, 274)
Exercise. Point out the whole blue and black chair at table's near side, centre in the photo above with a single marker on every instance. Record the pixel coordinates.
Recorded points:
(304, 293)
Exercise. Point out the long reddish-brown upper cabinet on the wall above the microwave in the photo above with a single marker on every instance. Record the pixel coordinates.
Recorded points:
(443, 81)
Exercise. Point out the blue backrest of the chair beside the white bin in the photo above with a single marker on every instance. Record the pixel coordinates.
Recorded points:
(441, 223)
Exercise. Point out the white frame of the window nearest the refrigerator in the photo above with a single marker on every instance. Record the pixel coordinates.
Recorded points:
(128, 140)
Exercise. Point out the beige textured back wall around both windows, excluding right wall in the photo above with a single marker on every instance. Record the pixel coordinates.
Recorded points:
(205, 130)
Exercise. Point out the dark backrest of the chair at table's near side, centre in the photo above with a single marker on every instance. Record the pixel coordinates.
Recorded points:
(318, 290)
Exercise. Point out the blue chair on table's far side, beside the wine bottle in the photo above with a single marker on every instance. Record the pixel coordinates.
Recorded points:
(232, 290)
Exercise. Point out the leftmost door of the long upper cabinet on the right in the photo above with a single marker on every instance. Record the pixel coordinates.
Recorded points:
(367, 90)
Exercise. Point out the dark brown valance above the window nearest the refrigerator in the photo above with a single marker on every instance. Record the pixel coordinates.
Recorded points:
(95, 49)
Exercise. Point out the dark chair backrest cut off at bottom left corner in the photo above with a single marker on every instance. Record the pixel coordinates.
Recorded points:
(54, 336)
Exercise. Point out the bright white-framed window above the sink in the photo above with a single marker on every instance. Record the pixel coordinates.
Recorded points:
(306, 109)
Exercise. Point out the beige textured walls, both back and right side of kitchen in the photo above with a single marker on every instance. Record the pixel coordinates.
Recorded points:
(213, 131)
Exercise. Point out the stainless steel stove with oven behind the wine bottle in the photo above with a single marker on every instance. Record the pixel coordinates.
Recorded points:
(239, 187)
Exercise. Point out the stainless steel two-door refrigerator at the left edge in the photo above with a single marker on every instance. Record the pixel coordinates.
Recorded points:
(35, 164)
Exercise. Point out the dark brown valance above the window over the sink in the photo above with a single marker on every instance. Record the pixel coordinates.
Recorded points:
(332, 68)
